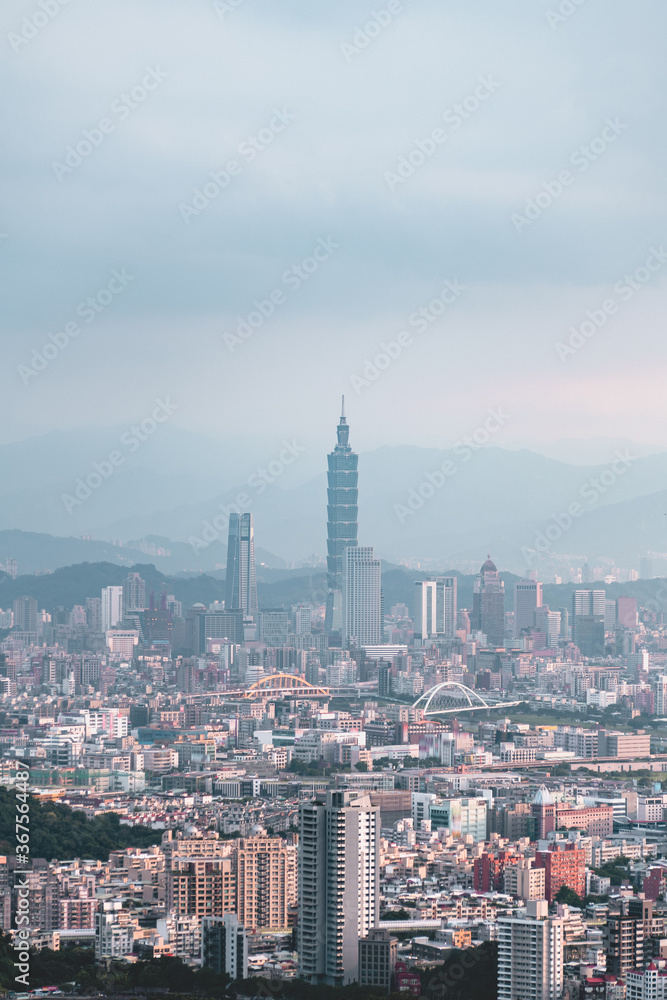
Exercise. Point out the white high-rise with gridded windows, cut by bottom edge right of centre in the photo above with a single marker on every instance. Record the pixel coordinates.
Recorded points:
(530, 955)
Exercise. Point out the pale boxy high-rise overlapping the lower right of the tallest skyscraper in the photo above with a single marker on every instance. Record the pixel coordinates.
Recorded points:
(362, 597)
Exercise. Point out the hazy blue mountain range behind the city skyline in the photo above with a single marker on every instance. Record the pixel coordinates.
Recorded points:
(162, 501)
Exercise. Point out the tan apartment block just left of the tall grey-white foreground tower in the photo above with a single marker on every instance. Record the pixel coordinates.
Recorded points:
(266, 883)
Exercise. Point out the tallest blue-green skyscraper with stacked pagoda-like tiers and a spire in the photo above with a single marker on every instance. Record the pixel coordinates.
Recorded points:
(342, 519)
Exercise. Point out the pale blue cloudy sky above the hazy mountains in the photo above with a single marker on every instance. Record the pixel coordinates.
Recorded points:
(498, 165)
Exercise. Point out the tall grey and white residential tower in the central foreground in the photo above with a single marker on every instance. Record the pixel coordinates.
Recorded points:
(339, 888)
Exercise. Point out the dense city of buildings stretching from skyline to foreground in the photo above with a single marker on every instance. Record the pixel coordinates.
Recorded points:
(337, 792)
